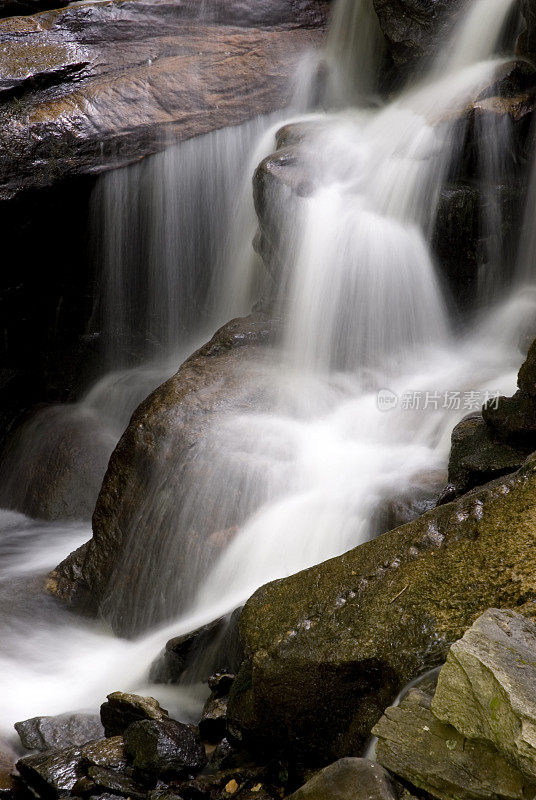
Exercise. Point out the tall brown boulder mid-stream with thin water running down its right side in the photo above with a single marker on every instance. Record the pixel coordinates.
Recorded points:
(164, 447)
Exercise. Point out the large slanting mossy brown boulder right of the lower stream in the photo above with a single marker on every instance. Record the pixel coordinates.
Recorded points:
(350, 633)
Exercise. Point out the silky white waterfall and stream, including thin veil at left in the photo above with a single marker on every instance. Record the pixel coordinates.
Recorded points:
(369, 380)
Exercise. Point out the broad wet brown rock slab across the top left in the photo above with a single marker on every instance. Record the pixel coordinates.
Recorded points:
(96, 86)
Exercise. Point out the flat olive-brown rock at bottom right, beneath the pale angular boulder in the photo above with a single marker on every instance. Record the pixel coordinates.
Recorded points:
(432, 756)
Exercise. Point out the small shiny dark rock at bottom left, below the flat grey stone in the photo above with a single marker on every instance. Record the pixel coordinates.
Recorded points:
(53, 773)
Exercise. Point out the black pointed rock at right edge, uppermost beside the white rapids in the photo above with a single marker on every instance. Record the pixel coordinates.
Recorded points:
(514, 418)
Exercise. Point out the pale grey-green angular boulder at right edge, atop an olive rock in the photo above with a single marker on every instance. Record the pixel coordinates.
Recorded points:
(487, 688)
